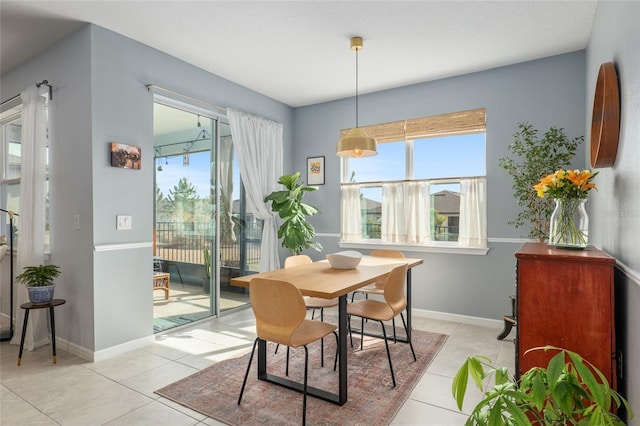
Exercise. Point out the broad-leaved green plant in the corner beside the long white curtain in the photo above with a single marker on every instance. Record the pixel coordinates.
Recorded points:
(296, 233)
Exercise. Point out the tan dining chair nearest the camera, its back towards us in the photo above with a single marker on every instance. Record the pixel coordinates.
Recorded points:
(280, 315)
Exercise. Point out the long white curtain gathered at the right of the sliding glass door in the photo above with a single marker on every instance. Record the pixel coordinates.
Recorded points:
(259, 145)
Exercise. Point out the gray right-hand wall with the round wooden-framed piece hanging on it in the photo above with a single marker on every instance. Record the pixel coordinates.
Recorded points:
(615, 208)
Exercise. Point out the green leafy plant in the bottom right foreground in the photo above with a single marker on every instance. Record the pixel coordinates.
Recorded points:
(570, 390)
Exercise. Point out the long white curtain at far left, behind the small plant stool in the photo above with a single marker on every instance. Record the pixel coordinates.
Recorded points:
(31, 213)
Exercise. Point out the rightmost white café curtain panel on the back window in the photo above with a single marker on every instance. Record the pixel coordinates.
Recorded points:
(473, 220)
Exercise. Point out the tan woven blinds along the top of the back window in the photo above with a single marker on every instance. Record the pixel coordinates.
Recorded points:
(454, 123)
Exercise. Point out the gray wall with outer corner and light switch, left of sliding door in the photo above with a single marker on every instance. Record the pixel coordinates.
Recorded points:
(100, 96)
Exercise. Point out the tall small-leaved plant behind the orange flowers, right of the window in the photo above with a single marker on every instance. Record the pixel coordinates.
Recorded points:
(532, 159)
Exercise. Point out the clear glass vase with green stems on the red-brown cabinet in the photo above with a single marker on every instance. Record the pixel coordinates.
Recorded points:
(569, 227)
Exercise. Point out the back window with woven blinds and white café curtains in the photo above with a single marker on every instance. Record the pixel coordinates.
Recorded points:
(425, 187)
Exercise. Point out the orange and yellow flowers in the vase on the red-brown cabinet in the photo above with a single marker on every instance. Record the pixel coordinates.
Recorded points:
(566, 184)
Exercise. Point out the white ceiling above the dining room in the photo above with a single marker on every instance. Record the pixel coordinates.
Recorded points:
(297, 52)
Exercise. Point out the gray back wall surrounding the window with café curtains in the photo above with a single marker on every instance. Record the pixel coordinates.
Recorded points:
(546, 92)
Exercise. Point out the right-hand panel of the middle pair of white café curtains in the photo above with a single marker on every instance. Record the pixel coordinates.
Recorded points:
(418, 212)
